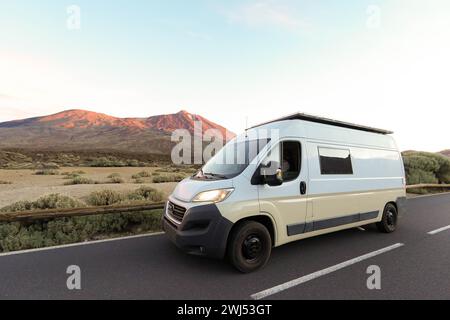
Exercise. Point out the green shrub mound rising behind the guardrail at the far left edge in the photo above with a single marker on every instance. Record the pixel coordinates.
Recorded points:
(52, 201)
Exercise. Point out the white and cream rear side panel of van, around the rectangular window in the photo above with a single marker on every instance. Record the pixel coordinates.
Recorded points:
(357, 198)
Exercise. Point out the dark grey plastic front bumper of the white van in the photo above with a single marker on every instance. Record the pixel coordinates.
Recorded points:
(203, 231)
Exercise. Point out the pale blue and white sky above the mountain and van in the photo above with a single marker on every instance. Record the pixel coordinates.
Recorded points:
(379, 63)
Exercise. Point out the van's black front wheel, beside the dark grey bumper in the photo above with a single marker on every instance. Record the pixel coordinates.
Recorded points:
(249, 246)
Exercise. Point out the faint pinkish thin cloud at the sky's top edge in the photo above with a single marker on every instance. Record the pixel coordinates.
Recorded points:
(264, 14)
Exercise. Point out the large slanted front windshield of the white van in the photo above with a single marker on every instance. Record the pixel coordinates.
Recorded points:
(232, 159)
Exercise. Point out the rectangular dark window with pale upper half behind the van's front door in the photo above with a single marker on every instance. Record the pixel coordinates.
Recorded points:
(335, 161)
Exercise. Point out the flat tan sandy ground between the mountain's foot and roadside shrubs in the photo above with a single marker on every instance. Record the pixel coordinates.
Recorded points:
(28, 186)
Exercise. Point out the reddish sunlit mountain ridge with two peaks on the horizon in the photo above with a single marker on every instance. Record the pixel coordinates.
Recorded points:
(78, 129)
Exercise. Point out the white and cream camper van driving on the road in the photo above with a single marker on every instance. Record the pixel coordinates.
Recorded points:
(317, 176)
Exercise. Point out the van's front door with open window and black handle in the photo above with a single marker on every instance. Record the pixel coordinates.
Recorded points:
(287, 203)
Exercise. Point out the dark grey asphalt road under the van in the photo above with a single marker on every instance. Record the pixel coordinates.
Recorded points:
(152, 268)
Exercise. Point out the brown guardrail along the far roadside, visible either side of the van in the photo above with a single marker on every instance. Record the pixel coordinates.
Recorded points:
(28, 216)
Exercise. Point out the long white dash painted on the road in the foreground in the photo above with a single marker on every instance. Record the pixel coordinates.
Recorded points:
(317, 274)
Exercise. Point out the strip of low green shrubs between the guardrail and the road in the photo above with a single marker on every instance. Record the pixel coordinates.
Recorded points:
(15, 236)
